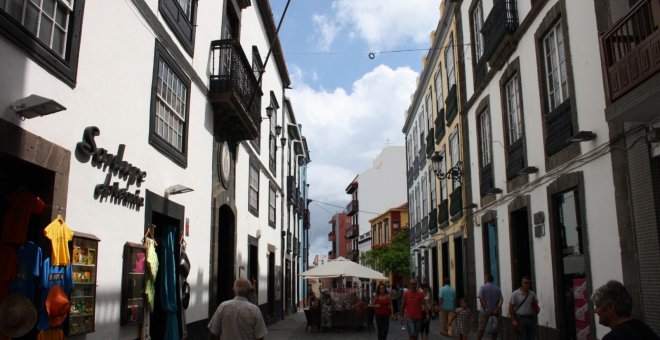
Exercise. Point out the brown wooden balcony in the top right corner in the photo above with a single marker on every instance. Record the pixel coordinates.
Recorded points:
(630, 49)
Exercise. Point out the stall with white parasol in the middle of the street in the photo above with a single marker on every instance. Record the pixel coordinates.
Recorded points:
(341, 307)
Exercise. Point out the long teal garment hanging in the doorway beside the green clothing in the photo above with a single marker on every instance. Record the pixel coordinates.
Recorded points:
(168, 287)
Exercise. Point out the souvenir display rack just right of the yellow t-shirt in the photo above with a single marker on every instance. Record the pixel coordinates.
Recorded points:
(84, 259)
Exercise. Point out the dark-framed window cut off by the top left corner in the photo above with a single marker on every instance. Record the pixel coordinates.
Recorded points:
(48, 31)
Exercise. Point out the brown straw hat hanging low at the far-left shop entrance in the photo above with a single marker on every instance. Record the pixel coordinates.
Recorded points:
(17, 316)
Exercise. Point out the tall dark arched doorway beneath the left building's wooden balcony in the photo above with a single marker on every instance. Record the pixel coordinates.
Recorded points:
(226, 254)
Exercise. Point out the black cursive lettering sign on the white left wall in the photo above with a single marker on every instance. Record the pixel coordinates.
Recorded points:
(115, 165)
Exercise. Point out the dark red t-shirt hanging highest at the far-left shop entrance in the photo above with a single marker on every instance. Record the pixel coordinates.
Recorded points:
(17, 217)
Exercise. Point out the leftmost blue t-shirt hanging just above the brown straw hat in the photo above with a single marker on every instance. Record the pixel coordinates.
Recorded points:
(27, 270)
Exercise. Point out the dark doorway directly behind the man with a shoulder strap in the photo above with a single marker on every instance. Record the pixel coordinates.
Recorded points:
(521, 251)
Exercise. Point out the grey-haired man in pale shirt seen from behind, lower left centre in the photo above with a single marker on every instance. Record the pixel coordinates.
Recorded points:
(238, 319)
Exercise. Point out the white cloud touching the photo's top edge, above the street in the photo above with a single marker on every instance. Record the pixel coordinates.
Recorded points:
(386, 23)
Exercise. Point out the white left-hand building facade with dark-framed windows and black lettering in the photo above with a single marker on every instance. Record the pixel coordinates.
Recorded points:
(173, 95)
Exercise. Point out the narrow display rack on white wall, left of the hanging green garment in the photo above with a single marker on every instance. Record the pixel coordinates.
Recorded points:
(133, 280)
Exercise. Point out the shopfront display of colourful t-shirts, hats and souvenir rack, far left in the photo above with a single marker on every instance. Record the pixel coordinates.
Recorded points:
(47, 272)
